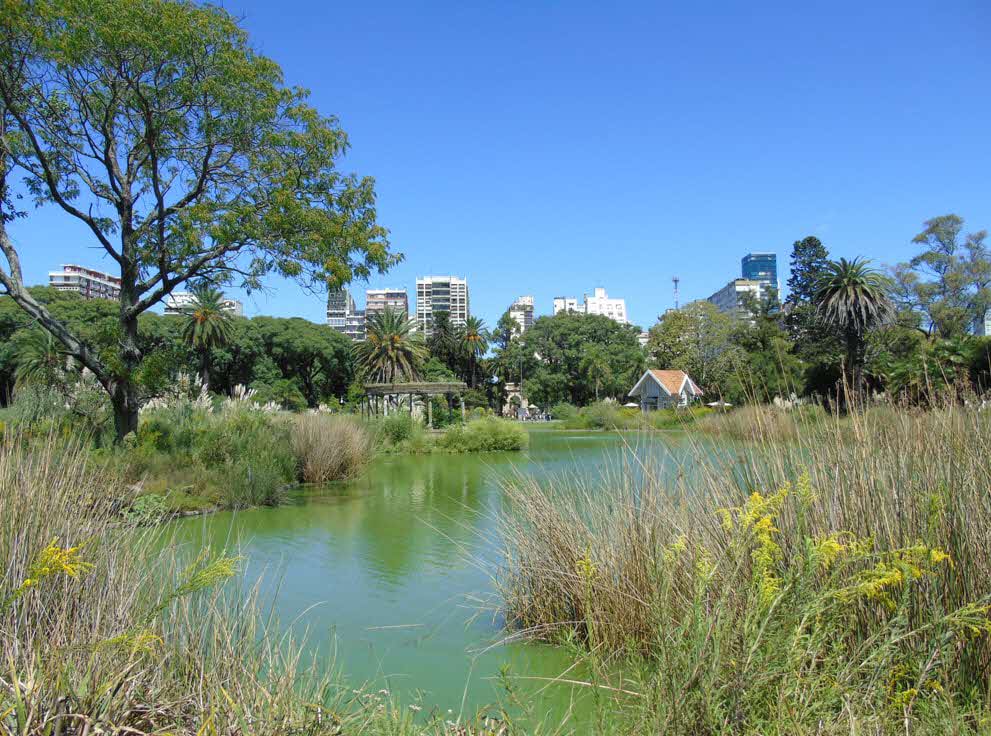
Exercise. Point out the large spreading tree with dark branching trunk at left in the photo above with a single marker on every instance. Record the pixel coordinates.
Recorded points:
(157, 126)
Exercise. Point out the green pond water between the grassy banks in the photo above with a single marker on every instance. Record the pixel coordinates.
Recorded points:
(390, 575)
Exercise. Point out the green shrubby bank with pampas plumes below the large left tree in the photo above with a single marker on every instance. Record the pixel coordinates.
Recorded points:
(194, 453)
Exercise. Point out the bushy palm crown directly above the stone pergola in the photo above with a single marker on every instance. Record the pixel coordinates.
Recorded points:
(391, 351)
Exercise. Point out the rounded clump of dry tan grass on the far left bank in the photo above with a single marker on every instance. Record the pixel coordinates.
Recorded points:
(330, 447)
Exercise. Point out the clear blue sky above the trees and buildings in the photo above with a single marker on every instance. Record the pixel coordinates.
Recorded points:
(547, 148)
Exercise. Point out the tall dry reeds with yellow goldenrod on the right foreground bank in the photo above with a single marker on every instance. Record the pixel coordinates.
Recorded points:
(837, 583)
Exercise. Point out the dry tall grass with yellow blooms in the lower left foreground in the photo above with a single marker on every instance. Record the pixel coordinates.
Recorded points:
(110, 628)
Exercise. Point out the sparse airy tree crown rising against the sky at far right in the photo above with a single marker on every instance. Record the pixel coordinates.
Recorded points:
(948, 283)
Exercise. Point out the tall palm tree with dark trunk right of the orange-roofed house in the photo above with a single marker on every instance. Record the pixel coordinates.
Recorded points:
(853, 298)
